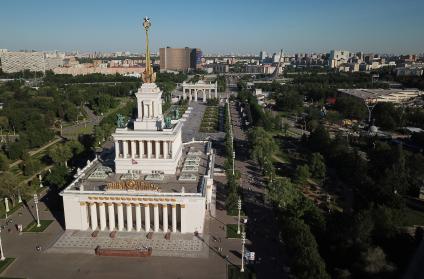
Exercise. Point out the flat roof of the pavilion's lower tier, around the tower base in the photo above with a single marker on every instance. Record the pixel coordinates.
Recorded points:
(99, 175)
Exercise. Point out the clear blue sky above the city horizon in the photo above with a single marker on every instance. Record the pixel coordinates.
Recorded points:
(238, 26)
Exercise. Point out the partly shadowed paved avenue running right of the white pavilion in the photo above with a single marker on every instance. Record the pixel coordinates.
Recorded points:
(261, 229)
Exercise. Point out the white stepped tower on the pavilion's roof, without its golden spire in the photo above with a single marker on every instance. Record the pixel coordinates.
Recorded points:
(149, 147)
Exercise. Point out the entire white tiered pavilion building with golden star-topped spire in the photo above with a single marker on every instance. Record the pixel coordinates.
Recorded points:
(153, 182)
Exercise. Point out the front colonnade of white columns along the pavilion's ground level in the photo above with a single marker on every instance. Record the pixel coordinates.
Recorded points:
(132, 216)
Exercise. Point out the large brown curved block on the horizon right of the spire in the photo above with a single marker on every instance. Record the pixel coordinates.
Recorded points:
(180, 59)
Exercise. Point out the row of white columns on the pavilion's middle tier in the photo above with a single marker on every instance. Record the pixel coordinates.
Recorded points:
(147, 149)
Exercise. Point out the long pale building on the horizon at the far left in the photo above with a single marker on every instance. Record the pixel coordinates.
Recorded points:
(13, 61)
